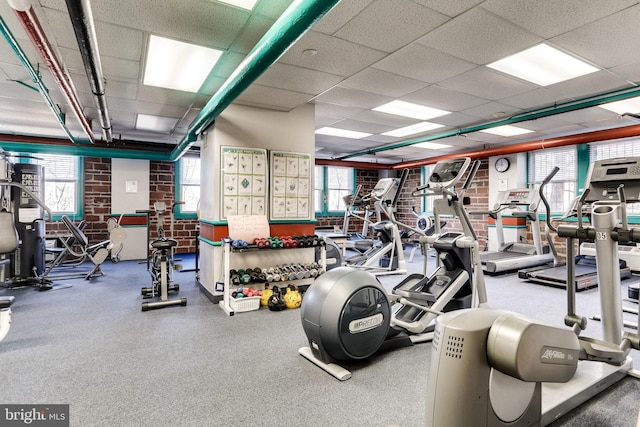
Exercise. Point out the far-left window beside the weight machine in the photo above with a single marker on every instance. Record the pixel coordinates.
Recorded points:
(62, 184)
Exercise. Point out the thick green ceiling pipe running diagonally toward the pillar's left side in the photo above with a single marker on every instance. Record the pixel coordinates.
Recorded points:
(294, 22)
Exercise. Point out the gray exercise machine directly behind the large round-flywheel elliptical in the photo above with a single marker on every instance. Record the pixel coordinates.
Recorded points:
(387, 254)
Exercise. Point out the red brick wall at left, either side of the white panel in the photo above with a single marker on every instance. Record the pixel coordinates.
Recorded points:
(96, 199)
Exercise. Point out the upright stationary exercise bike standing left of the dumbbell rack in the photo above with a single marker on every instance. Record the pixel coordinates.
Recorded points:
(161, 265)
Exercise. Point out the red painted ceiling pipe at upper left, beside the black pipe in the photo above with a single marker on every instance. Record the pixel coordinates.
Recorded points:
(34, 30)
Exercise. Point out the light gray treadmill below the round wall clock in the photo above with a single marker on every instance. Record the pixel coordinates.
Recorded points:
(516, 255)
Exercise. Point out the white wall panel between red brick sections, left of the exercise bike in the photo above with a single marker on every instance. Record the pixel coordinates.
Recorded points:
(130, 192)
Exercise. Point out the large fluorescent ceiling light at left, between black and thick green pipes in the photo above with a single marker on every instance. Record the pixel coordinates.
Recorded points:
(176, 65)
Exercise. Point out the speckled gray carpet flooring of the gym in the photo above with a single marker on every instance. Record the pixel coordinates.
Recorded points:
(91, 347)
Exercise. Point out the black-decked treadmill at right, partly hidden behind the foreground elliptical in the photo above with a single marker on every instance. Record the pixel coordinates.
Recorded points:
(585, 270)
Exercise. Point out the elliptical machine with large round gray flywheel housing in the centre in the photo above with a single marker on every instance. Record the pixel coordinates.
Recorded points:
(347, 314)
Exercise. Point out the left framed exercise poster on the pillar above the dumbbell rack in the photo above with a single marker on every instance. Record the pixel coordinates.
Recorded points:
(244, 181)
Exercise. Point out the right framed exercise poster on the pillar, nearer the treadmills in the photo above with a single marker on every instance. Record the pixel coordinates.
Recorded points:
(291, 188)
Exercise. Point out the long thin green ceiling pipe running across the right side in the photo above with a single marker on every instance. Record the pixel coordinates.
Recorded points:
(565, 107)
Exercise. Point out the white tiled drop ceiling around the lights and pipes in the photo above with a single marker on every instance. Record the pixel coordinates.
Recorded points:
(362, 54)
